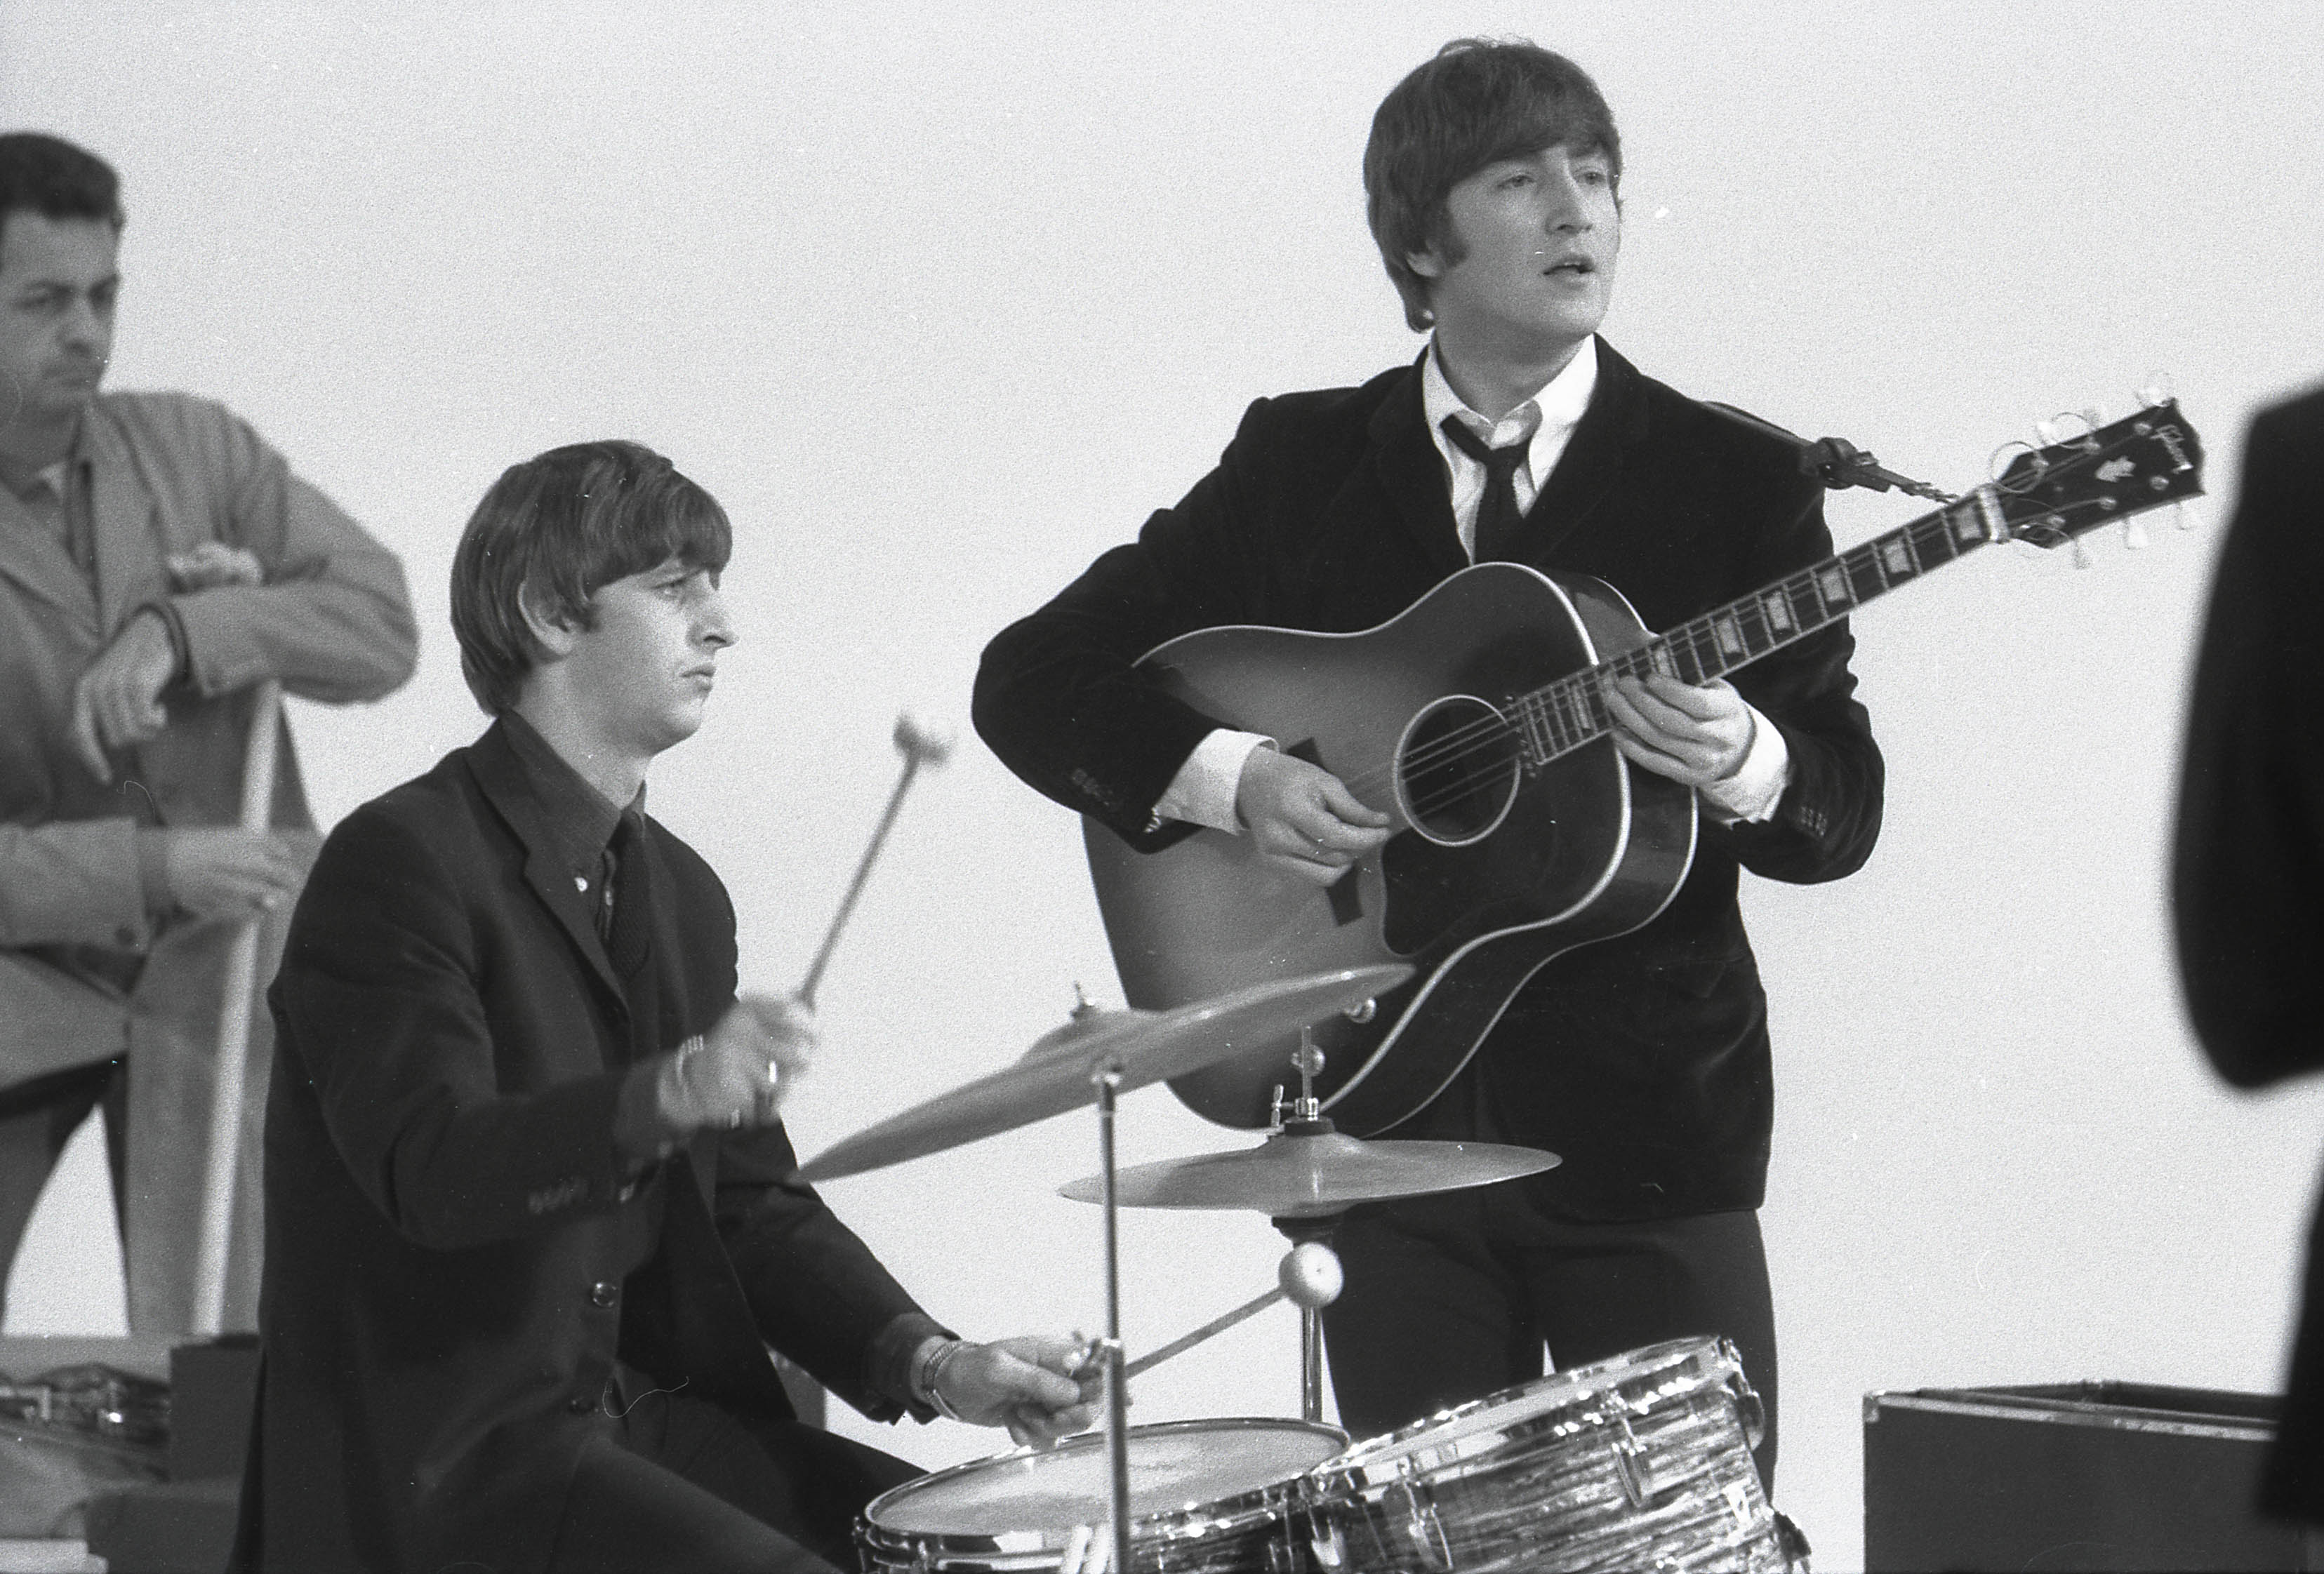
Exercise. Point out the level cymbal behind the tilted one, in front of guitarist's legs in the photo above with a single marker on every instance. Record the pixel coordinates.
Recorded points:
(1312, 1175)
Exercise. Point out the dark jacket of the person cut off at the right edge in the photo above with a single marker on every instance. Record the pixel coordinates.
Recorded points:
(2248, 880)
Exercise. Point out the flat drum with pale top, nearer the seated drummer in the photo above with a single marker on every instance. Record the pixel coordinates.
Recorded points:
(1205, 1498)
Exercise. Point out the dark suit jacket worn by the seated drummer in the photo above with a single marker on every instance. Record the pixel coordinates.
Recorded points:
(450, 1224)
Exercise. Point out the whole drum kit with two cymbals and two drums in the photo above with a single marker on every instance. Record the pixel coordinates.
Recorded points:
(1628, 1464)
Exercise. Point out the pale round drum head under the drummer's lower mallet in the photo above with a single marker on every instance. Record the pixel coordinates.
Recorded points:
(1042, 1496)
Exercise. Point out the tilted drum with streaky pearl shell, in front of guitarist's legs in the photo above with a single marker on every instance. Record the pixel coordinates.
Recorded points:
(1628, 1464)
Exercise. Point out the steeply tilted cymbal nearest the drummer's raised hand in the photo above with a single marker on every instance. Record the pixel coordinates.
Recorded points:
(1142, 1045)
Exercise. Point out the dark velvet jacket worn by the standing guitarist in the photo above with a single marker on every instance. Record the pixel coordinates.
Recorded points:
(1644, 1059)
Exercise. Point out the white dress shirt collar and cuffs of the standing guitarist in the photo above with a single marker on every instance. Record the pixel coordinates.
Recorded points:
(1207, 782)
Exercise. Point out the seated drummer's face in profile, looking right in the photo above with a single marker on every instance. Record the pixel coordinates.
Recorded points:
(652, 657)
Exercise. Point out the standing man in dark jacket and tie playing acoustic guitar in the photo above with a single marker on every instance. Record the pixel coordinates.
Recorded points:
(1493, 185)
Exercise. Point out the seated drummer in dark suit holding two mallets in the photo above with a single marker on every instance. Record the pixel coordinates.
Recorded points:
(529, 1226)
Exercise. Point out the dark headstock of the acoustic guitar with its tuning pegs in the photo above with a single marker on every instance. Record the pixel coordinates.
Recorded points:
(2072, 487)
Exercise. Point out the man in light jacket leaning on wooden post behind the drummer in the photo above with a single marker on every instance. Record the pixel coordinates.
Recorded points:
(157, 564)
